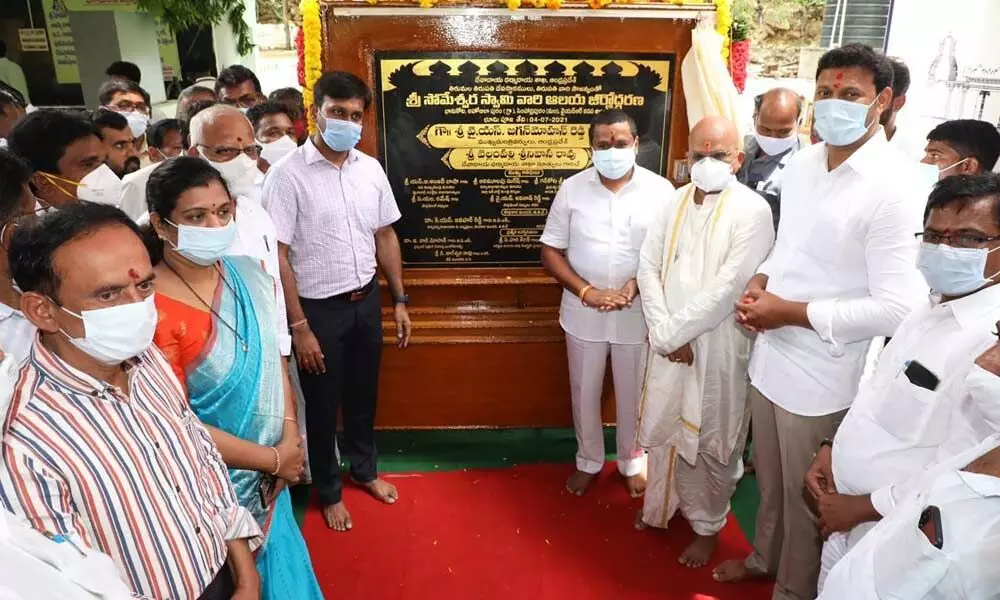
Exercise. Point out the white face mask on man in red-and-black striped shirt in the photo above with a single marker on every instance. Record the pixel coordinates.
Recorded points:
(115, 334)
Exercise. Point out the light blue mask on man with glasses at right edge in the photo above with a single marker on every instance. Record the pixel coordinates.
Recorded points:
(954, 271)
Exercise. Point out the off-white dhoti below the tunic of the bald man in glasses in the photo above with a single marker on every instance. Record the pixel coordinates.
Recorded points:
(701, 492)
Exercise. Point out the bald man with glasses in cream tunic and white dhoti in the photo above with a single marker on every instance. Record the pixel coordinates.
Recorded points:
(699, 253)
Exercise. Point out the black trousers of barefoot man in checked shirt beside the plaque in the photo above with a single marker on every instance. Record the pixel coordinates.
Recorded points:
(350, 335)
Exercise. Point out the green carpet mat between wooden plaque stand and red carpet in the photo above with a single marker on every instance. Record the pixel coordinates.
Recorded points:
(450, 449)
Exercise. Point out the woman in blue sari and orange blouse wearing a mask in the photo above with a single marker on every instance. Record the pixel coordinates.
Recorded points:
(212, 314)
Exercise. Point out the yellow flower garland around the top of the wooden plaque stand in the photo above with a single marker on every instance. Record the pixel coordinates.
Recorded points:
(312, 56)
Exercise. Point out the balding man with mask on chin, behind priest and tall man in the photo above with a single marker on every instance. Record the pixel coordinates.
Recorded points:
(774, 141)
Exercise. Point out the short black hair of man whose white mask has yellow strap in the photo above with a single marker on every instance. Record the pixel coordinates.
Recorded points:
(41, 137)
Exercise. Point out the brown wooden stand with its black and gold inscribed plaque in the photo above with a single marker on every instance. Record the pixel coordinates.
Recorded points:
(474, 186)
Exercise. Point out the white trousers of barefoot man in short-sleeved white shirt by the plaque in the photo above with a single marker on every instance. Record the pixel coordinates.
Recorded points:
(587, 362)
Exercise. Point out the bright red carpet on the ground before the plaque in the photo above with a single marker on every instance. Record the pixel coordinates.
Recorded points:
(511, 534)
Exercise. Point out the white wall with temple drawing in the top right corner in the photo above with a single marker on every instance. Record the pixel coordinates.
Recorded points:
(914, 35)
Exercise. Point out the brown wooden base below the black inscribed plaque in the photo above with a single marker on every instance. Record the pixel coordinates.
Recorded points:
(486, 351)
